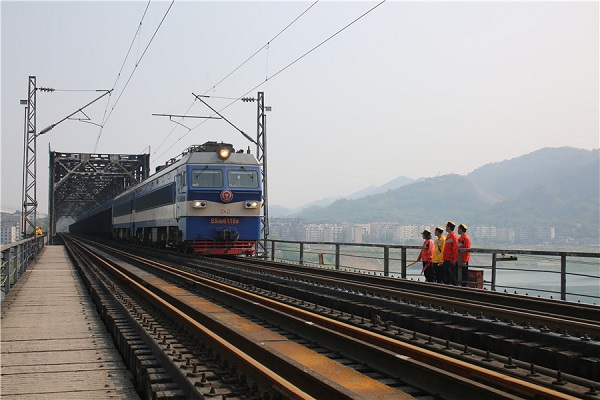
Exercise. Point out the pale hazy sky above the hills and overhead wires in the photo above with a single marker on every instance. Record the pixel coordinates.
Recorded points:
(411, 89)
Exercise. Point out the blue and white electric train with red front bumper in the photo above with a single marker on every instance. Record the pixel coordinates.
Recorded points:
(208, 202)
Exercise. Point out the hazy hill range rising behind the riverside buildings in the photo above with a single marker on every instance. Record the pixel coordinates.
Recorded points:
(550, 187)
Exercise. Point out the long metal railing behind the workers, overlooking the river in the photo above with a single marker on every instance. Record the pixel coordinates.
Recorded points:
(573, 276)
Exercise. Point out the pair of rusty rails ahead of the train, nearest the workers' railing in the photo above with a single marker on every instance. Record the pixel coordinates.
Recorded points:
(576, 318)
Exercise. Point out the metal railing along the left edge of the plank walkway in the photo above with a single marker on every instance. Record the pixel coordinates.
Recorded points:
(16, 258)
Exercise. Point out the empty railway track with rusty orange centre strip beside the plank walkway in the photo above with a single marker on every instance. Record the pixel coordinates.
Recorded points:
(403, 368)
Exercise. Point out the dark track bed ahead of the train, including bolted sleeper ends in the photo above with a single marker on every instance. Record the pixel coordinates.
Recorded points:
(484, 326)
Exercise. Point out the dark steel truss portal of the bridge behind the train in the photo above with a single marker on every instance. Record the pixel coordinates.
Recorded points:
(80, 182)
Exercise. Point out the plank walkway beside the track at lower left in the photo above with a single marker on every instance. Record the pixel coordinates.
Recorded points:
(54, 345)
